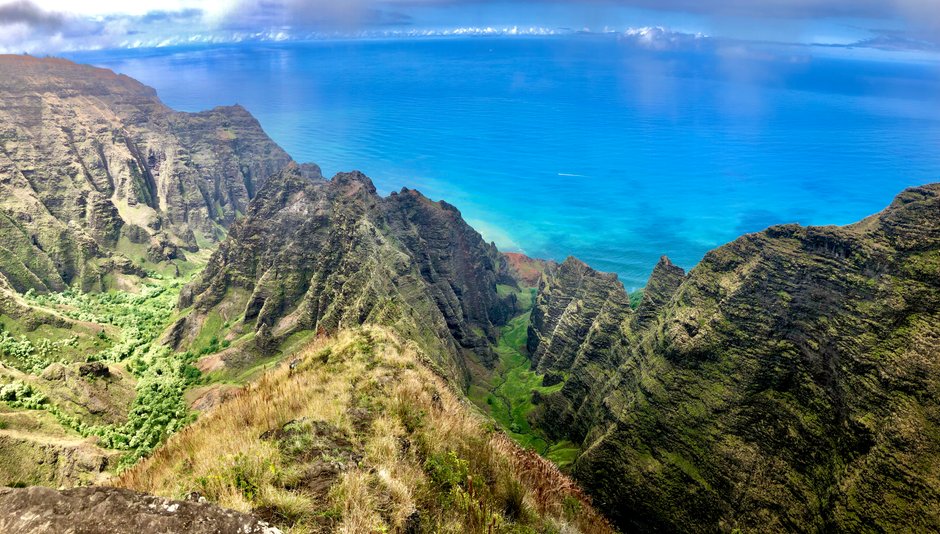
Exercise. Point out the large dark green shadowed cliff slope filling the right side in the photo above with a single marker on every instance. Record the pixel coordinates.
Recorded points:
(790, 382)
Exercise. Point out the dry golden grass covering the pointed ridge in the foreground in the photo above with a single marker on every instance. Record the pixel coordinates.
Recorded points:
(363, 437)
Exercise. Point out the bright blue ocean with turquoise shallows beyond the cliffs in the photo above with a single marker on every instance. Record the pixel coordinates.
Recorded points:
(586, 146)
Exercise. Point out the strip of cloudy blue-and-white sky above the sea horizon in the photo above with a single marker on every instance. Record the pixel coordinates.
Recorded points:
(50, 26)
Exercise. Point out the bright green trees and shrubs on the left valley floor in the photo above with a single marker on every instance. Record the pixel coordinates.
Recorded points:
(127, 326)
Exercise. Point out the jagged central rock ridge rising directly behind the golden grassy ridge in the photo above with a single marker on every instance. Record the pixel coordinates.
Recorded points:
(319, 255)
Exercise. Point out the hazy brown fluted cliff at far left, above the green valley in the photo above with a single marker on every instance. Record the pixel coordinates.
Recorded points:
(92, 163)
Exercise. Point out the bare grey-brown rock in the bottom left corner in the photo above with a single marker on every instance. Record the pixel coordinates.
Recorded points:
(103, 510)
